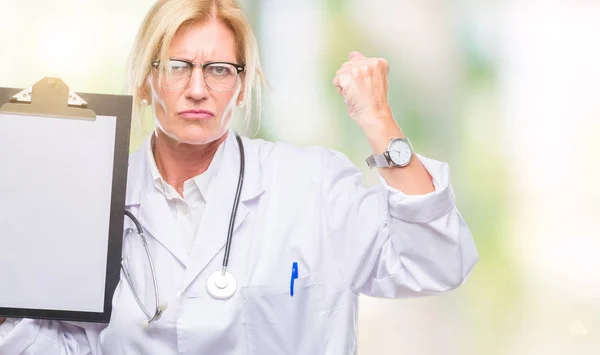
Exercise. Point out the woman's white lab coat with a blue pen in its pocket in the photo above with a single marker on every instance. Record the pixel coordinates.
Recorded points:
(304, 205)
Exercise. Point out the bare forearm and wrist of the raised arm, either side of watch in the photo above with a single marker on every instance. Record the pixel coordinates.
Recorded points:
(412, 179)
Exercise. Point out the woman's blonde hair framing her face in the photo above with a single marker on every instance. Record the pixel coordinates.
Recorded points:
(160, 25)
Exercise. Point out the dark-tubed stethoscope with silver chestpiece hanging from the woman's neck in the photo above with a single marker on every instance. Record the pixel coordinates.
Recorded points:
(221, 284)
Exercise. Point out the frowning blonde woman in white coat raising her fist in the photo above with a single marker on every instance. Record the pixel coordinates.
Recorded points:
(307, 237)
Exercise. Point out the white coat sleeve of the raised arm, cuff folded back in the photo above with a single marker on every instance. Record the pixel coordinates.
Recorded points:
(389, 244)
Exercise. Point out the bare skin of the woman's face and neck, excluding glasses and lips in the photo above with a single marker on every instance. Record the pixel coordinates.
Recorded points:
(185, 147)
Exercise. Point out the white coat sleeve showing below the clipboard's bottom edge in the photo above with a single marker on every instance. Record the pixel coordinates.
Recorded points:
(48, 337)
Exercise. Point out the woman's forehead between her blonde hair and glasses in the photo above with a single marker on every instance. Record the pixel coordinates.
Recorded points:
(208, 41)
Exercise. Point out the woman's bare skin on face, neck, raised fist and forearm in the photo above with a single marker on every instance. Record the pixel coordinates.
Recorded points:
(185, 148)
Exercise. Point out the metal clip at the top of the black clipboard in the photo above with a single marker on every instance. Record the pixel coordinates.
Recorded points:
(49, 97)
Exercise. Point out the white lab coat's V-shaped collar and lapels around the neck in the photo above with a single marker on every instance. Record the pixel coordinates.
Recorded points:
(154, 213)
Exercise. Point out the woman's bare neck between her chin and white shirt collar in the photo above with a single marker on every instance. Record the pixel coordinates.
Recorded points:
(178, 162)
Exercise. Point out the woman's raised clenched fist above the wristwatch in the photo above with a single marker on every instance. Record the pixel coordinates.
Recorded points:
(363, 83)
